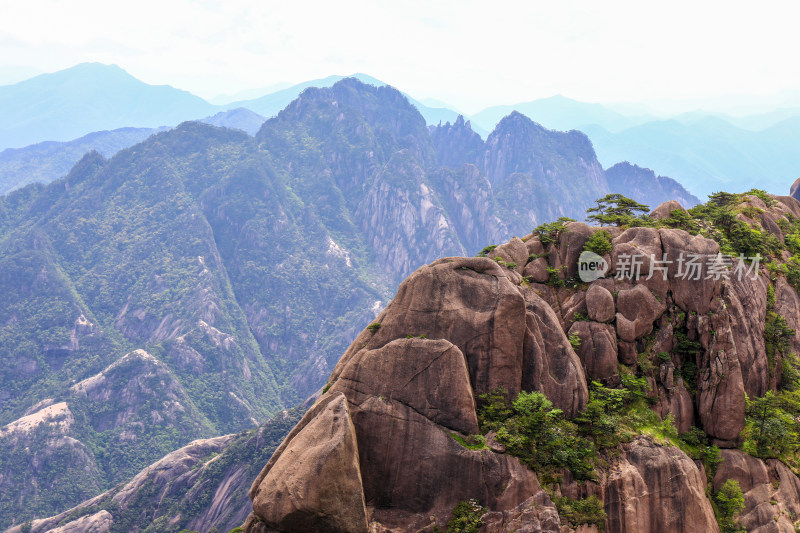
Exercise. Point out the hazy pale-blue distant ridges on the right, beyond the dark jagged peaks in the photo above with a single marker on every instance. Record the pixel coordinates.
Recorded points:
(704, 151)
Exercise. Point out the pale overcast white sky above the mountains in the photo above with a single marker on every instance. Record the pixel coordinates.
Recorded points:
(470, 54)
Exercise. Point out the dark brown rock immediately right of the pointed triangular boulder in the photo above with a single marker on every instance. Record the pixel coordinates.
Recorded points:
(409, 463)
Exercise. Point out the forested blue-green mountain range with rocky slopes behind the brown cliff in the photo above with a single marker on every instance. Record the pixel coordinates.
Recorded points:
(202, 280)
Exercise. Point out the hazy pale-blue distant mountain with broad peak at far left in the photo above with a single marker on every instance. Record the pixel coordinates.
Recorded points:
(89, 97)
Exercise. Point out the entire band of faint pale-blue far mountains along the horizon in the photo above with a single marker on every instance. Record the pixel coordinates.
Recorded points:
(704, 150)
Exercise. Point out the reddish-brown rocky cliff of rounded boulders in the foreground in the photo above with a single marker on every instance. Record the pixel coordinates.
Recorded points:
(397, 439)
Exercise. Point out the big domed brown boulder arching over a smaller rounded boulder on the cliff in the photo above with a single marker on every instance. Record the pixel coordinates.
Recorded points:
(467, 301)
